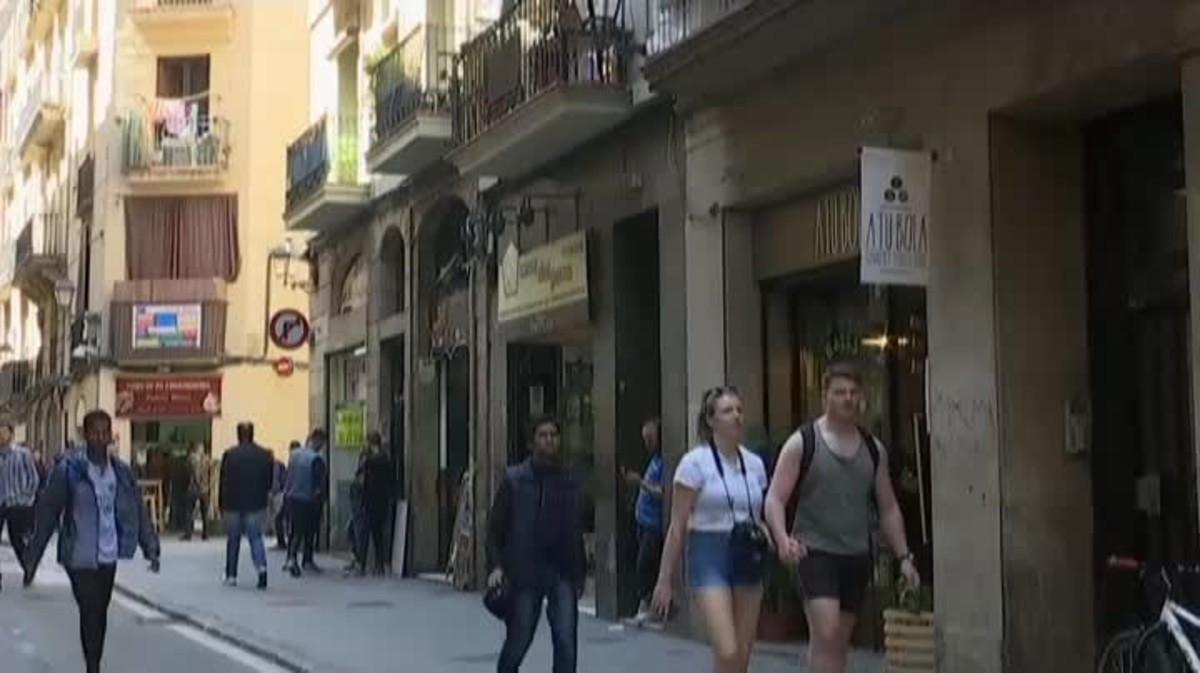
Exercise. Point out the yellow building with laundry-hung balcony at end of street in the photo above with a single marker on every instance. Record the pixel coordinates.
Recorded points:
(151, 190)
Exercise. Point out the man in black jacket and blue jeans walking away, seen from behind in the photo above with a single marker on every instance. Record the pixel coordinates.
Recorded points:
(248, 472)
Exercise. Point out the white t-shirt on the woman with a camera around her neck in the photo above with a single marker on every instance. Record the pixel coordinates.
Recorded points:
(698, 471)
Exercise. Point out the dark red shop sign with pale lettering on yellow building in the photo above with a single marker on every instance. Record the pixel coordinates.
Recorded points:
(169, 396)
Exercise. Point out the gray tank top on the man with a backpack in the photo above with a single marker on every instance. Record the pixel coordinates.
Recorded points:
(833, 513)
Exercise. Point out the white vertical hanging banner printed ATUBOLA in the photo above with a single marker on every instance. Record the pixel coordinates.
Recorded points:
(896, 188)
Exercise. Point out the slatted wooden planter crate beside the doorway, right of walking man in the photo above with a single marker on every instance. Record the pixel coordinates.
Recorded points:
(909, 629)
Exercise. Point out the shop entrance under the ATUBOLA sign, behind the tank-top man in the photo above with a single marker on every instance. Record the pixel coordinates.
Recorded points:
(827, 316)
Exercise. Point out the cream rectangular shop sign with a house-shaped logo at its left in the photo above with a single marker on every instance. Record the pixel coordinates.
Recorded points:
(545, 279)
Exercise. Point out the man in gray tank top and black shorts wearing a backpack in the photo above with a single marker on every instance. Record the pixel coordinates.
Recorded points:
(838, 474)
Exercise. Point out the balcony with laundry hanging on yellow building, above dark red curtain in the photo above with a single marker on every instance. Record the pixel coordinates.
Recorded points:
(177, 143)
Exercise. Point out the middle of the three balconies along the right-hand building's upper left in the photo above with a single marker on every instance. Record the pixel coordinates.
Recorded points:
(411, 86)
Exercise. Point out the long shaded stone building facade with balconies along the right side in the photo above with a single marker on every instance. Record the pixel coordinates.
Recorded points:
(547, 212)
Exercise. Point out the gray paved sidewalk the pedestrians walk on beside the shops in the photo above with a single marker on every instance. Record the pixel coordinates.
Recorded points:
(331, 624)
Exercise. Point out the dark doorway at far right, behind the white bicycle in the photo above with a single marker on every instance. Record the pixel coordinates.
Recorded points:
(1143, 460)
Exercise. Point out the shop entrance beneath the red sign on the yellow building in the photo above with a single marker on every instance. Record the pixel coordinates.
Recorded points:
(161, 450)
